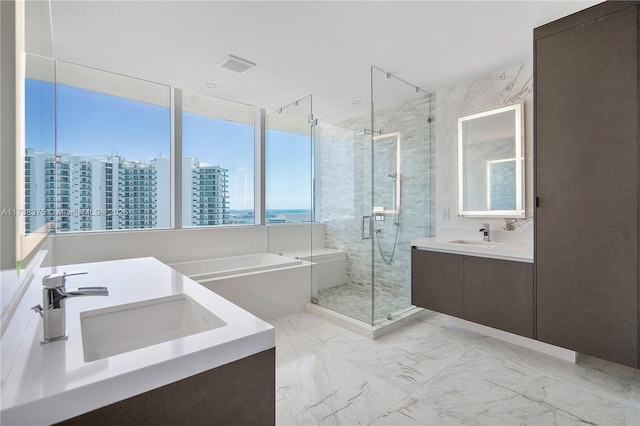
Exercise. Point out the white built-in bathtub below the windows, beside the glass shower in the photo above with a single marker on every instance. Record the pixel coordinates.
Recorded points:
(267, 285)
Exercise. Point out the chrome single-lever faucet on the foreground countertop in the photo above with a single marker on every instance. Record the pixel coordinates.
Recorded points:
(54, 296)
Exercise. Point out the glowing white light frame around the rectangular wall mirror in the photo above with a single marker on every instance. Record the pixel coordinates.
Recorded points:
(519, 211)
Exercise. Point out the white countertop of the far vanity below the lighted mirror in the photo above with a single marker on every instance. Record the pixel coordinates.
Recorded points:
(519, 252)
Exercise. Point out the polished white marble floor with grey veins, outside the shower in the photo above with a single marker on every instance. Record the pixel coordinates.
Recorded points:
(426, 373)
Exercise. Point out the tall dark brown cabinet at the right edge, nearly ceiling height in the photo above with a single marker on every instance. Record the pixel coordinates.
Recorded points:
(586, 168)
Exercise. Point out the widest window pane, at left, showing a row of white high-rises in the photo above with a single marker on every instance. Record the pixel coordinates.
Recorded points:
(112, 165)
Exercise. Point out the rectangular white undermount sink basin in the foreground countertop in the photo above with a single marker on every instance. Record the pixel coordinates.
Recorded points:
(119, 329)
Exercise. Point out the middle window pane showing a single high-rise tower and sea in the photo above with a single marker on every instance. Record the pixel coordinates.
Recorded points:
(217, 161)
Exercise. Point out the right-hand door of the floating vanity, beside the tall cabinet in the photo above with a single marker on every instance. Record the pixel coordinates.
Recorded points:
(499, 294)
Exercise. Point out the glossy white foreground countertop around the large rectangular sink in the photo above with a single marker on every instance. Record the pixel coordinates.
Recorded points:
(44, 384)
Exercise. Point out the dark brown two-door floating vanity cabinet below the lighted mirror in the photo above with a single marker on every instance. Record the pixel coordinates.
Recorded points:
(492, 292)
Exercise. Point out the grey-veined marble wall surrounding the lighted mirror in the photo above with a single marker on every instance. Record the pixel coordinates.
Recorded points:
(509, 86)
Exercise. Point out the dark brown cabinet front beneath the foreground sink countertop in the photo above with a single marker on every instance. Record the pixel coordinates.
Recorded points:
(239, 393)
